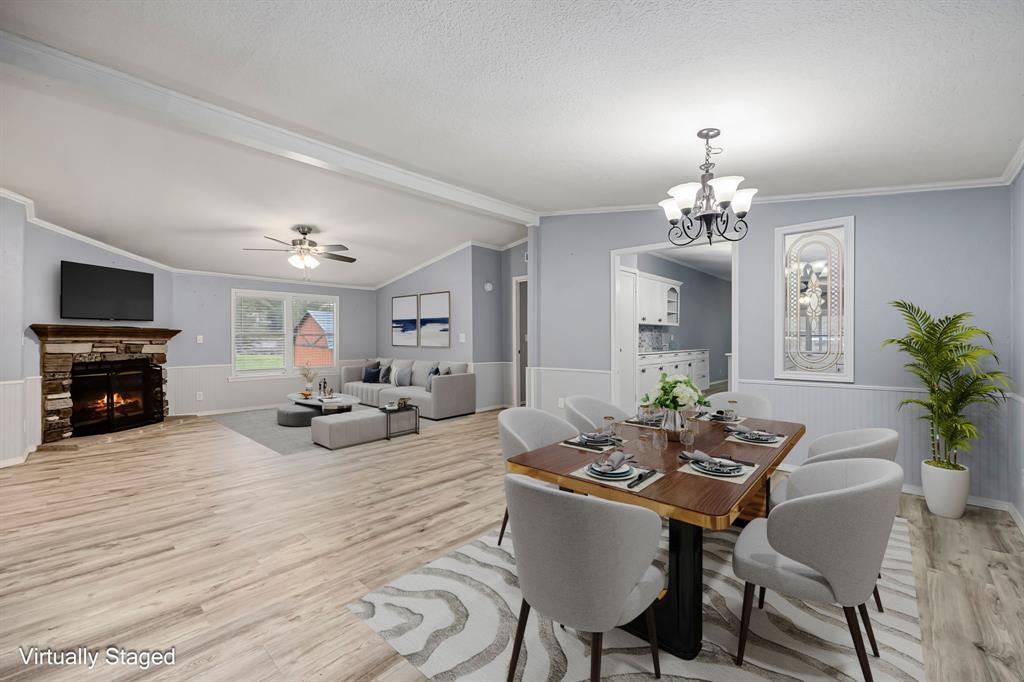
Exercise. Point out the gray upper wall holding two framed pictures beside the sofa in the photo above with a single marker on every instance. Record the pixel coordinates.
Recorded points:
(453, 274)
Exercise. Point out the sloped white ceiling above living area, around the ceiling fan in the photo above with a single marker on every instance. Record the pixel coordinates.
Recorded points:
(194, 202)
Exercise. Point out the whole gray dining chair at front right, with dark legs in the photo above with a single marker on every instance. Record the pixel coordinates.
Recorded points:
(825, 544)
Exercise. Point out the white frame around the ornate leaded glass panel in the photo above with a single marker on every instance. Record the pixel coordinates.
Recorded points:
(839, 234)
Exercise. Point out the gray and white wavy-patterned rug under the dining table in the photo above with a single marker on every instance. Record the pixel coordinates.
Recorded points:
(455, 620)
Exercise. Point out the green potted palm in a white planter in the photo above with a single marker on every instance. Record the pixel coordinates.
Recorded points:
(947, 359)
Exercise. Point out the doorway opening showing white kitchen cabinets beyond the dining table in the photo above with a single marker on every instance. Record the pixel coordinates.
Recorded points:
(673, 312)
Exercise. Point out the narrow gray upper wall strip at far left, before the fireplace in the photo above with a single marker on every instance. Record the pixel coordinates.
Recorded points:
(13, 229)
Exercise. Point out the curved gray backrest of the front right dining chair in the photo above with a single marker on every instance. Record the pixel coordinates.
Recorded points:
(837, 520)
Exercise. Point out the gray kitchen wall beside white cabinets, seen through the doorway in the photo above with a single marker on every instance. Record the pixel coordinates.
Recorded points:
(706, 303)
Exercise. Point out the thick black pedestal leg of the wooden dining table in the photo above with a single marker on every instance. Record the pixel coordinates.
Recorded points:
(679, 615)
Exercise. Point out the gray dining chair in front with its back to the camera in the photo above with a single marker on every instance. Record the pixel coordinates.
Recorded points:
(584, 563)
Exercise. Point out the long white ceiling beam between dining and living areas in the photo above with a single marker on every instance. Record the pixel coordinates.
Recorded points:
(208, 119)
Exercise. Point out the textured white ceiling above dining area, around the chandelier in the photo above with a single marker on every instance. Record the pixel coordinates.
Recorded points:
(562, 105)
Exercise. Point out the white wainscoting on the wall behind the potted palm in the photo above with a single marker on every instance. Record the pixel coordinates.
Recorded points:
(829, 408)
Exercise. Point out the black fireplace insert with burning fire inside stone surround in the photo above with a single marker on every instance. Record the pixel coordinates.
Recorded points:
(113, 396)
